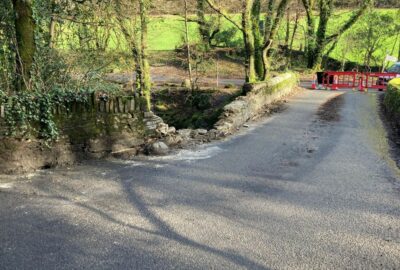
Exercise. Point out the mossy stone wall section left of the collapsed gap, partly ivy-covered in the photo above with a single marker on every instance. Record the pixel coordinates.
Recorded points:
(104, 126)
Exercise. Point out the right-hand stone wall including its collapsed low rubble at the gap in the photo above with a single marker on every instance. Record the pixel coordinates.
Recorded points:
(258, 97)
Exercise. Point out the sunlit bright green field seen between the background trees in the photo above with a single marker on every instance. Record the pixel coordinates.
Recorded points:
(166, 34)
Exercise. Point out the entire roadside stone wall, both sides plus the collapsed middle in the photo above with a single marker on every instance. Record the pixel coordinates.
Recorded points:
(116, 126)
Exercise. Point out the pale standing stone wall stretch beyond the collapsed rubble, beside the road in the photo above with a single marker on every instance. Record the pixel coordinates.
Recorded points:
(258, 96)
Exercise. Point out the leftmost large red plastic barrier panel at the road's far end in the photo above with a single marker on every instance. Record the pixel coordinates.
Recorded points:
(337, 79)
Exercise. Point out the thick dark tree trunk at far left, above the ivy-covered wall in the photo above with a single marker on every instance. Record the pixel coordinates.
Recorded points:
(26, 47)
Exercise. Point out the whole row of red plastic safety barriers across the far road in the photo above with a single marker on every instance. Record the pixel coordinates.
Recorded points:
(335, 80)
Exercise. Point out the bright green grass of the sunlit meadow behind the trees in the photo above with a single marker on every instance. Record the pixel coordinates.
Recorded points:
(166, 34)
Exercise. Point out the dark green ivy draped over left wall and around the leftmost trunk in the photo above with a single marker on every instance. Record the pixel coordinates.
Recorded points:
(30, 112)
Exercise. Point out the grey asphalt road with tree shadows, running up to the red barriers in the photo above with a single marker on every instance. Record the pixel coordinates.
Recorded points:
(299, 190)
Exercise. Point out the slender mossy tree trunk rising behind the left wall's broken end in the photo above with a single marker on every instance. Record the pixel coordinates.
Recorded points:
(146, 82)
